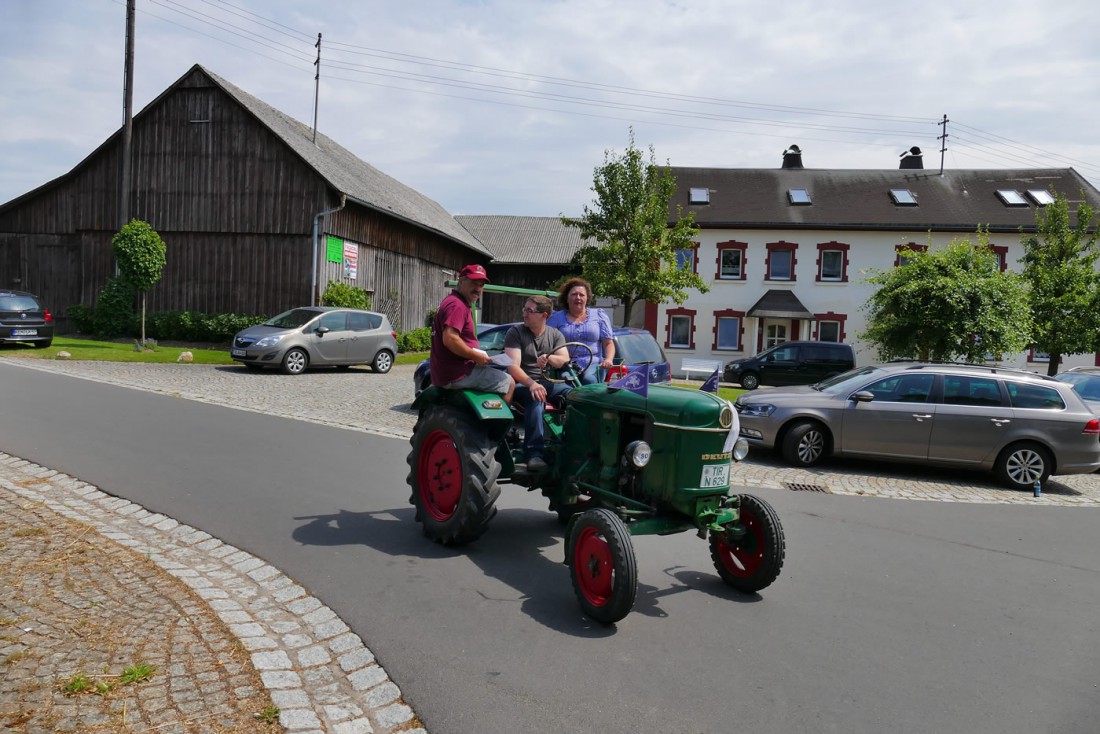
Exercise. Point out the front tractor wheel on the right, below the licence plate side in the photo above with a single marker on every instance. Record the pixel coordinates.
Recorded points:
(753, 562)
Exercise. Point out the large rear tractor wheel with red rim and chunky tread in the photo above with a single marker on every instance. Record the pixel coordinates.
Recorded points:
(453, 474)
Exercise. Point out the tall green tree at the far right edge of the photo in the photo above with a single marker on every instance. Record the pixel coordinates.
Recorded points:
(1060, 266)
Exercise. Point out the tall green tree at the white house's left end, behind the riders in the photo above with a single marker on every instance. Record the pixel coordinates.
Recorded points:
(634, 256)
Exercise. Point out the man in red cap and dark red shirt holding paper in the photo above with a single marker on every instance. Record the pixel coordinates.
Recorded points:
(456, 361)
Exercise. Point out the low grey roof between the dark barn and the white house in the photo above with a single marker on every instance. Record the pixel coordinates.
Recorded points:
(524, 240)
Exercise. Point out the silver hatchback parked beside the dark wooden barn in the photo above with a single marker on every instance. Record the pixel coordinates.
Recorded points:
(318, 336)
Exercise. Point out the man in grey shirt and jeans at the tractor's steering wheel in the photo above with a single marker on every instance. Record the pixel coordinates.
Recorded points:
(533, 347)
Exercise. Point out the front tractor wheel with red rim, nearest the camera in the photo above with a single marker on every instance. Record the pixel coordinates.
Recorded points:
(602, 566)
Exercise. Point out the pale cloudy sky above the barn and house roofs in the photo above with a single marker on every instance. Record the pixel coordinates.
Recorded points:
(507, 107)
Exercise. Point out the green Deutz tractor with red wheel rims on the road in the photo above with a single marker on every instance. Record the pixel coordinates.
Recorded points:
(620, 464)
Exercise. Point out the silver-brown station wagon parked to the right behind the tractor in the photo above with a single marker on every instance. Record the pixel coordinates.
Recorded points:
(1020, 425)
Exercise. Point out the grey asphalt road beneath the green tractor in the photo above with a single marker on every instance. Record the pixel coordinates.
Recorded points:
(889, 617)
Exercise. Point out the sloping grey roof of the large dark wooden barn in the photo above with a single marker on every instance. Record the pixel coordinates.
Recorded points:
(361, 182)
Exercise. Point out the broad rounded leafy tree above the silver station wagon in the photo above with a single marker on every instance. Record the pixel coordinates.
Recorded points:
(947, 305)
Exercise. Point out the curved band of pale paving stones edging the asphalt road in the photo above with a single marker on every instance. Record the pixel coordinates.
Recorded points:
(315, 670)
